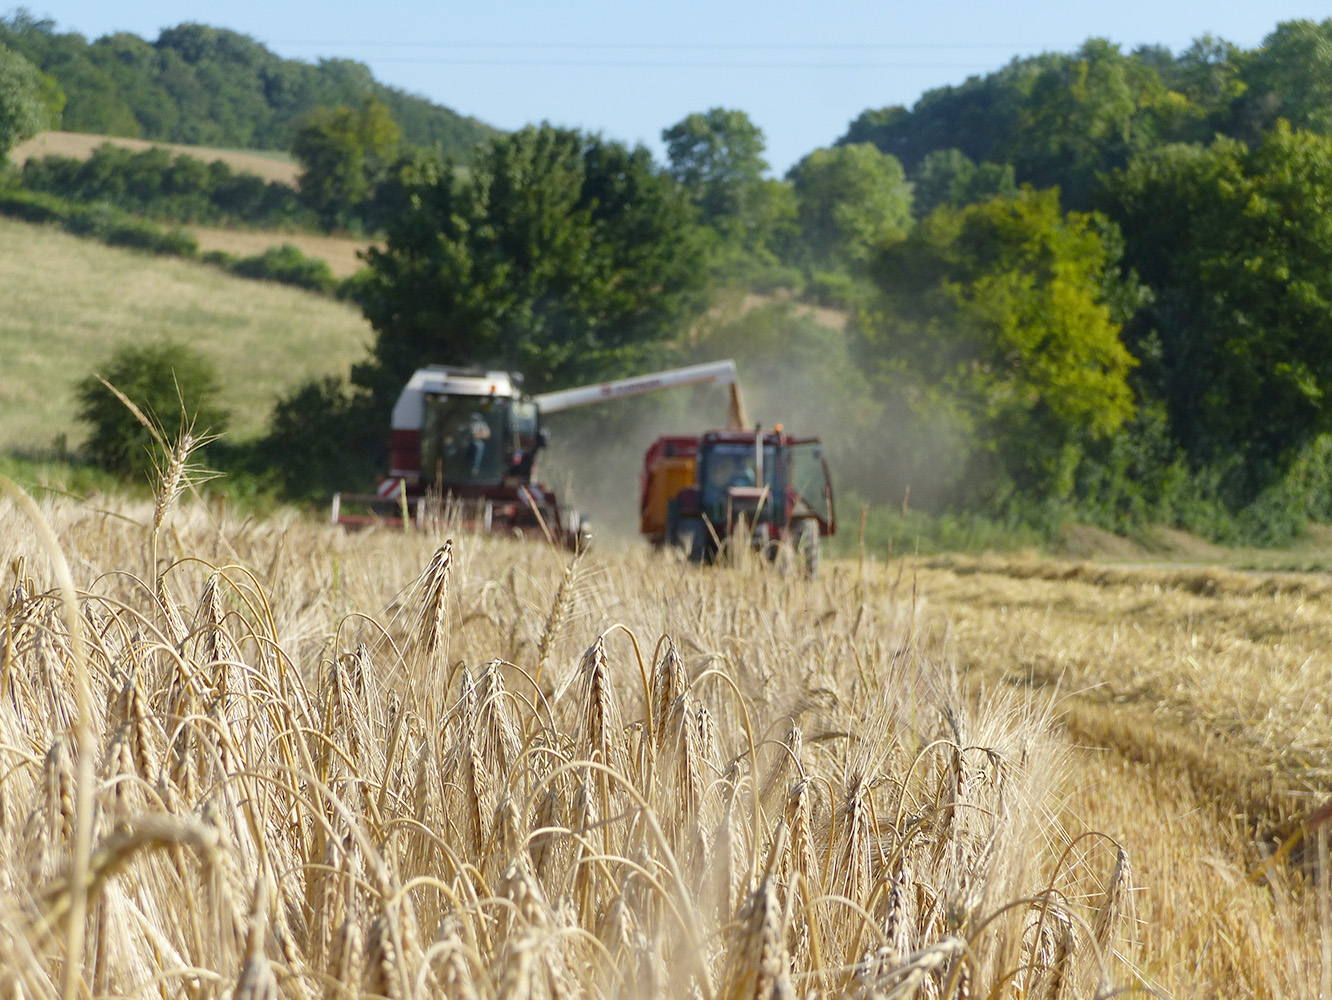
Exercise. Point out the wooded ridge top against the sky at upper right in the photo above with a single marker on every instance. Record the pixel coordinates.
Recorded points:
(1064, 119)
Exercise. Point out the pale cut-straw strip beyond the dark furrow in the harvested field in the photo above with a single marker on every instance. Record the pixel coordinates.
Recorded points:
(1247, 662)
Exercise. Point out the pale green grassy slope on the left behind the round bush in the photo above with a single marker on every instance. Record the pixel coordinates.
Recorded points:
(70, 303)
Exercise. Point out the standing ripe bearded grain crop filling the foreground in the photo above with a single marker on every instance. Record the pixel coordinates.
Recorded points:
(264, 758)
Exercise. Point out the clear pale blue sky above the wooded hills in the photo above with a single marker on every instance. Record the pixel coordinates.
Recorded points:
(628, 70)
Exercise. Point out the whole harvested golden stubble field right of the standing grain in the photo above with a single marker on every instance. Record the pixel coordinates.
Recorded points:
(1198, 706)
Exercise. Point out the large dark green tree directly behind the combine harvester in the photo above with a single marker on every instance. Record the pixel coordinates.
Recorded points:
(560, 255)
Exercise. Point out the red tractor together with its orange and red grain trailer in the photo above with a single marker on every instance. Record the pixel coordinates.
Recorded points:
(767, 491)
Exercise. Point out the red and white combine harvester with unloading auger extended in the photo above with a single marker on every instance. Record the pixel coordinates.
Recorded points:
(468, 440)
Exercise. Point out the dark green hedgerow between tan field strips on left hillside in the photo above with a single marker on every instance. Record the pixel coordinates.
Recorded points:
(179, 188)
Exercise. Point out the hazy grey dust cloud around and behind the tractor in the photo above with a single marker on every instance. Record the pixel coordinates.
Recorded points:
(795, 371)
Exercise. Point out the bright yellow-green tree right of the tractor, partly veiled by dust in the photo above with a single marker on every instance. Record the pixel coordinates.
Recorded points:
(993, 328)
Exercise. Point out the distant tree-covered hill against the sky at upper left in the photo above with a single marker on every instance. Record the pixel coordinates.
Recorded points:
(214, 87)
